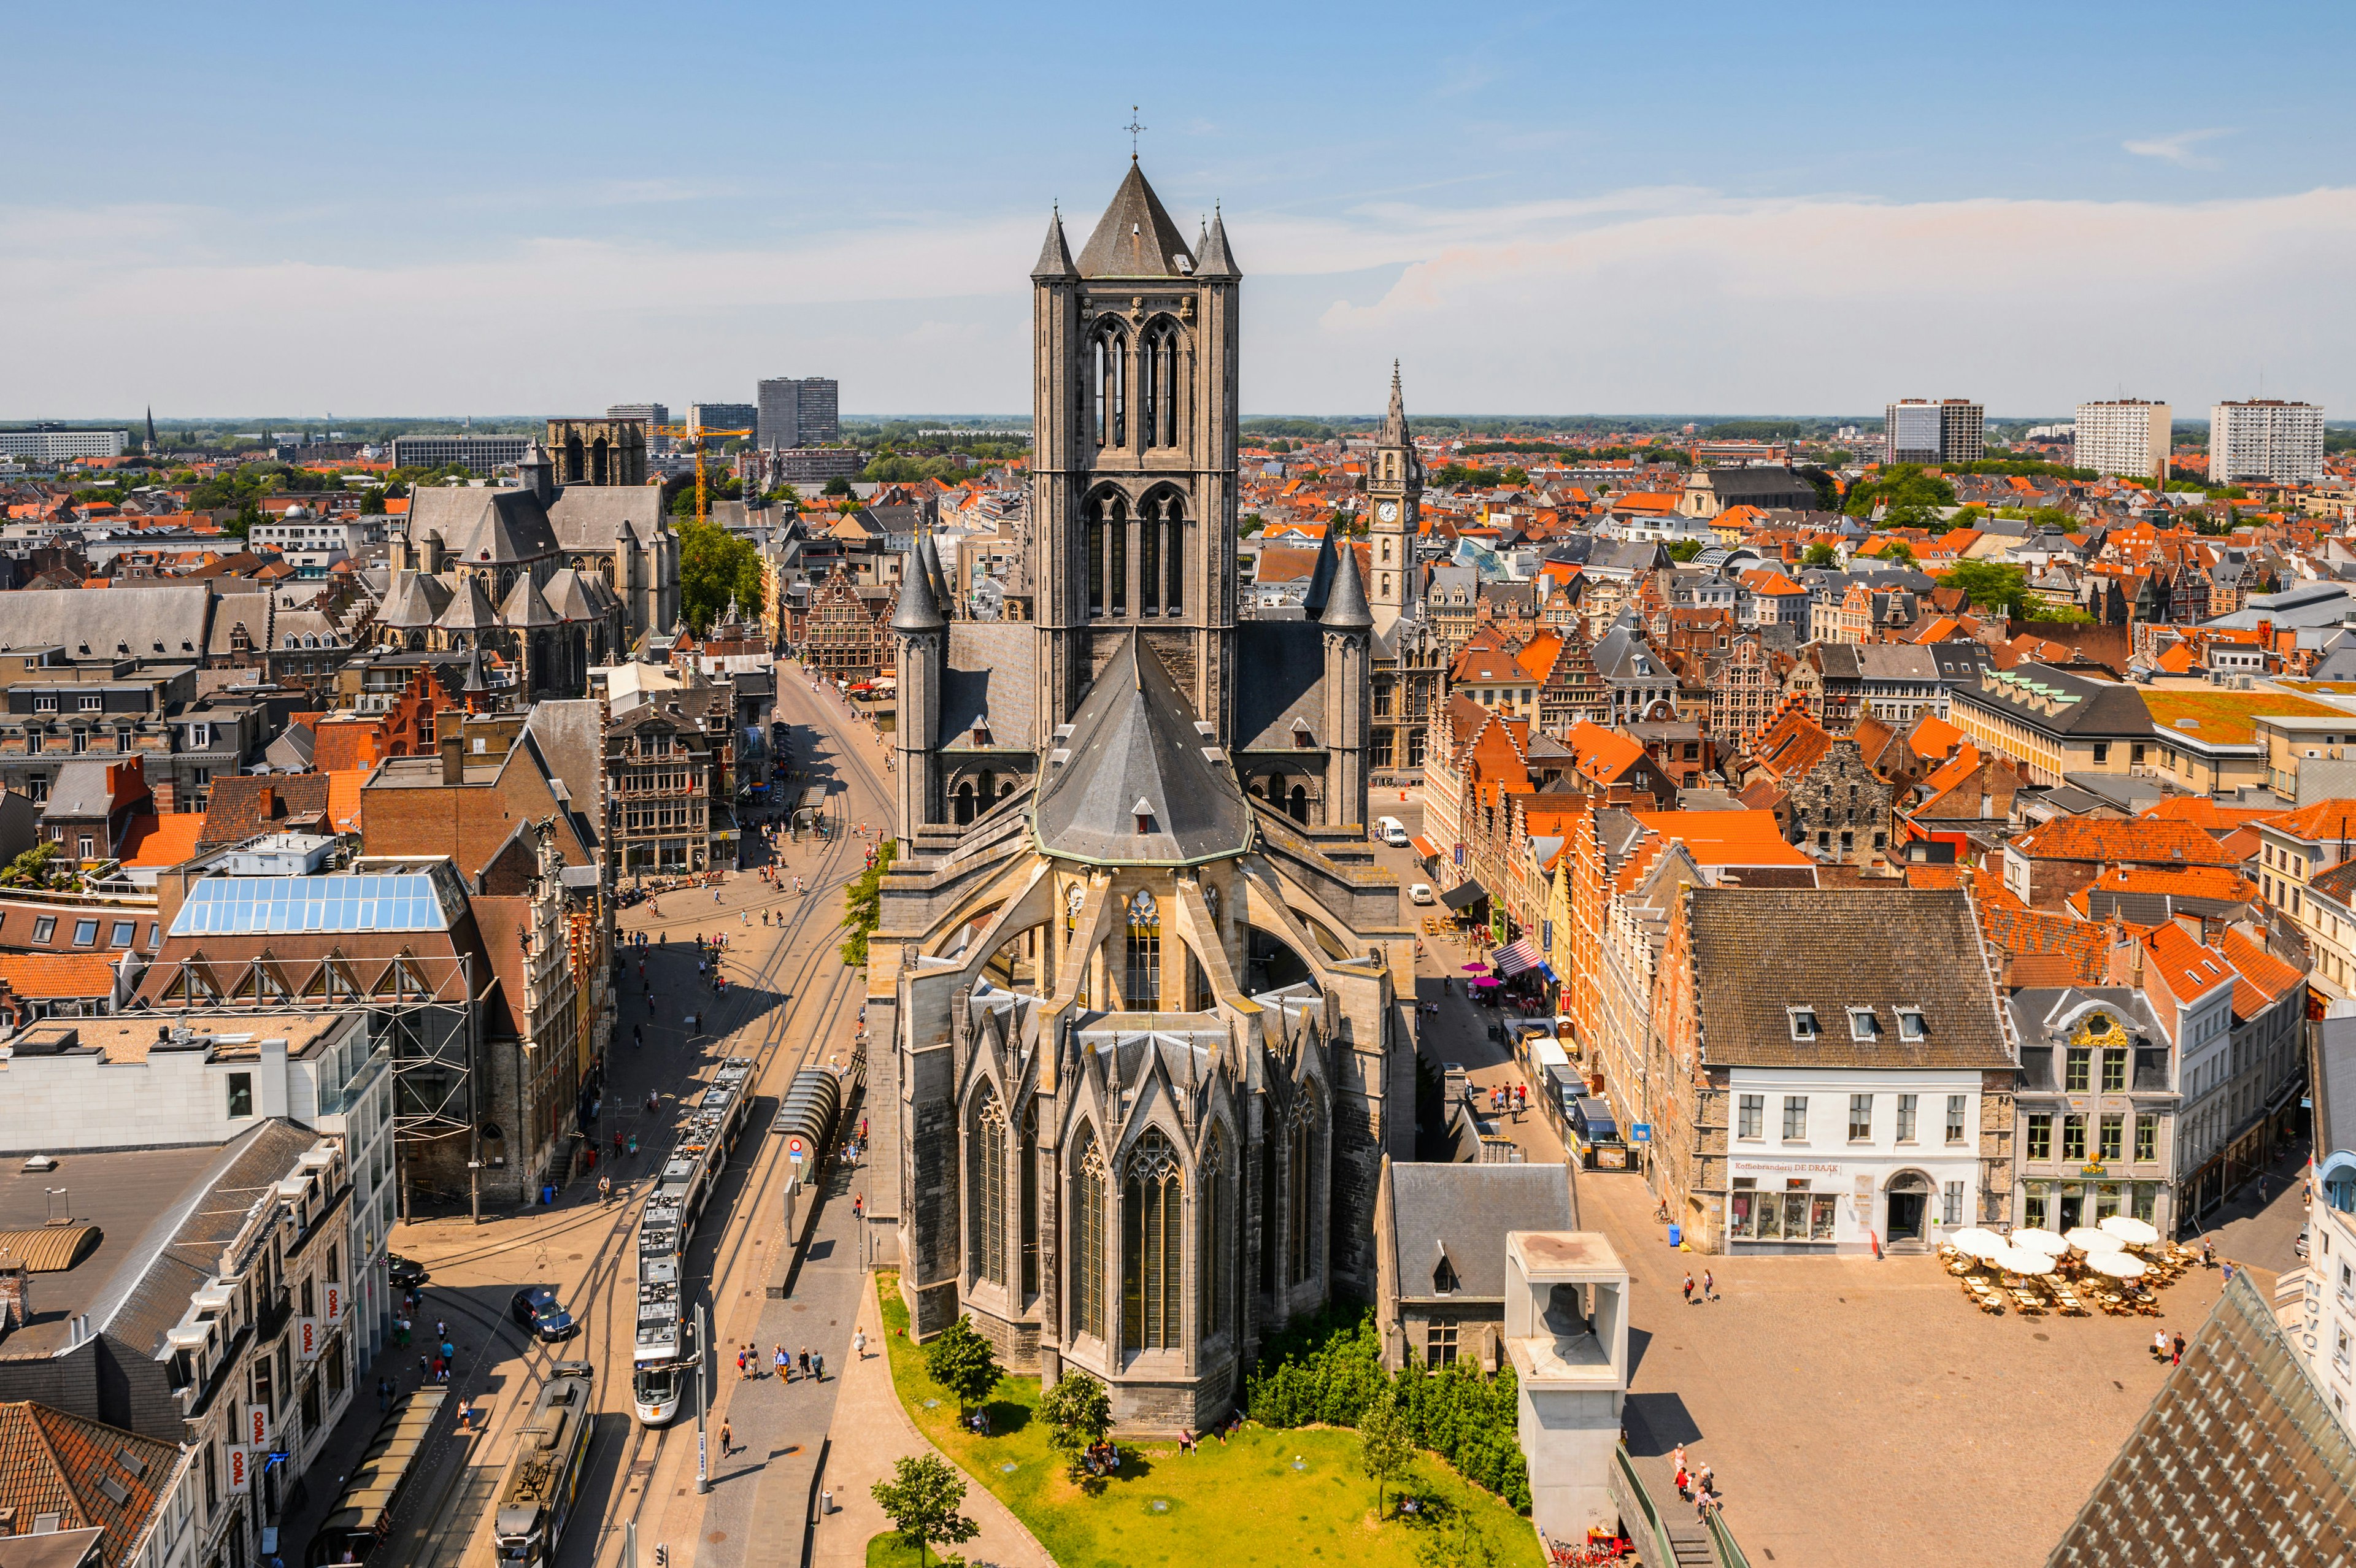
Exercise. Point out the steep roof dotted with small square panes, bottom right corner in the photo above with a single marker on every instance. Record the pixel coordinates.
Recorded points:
(2239, 1451)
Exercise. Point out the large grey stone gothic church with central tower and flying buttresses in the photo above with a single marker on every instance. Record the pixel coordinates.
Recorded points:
(1139, 971)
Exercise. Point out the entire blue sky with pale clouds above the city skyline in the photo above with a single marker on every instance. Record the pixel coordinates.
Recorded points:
(1728, 208)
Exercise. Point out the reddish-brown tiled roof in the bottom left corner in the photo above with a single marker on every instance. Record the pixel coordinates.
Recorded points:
(74, 1468)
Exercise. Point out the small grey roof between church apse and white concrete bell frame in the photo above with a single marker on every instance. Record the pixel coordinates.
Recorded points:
(1467, 1211)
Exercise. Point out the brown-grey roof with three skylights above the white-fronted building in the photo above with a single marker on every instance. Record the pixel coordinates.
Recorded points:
(1761, 952)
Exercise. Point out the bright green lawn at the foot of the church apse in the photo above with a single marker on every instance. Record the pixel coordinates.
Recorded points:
(1264, 1499)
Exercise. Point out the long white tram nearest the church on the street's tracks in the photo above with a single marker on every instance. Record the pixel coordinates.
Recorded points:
(666, 1338)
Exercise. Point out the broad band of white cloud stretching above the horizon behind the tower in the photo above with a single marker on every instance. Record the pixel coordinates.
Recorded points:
(1650, 300)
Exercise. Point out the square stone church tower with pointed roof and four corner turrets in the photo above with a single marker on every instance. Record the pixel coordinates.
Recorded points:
(1134, 416)
